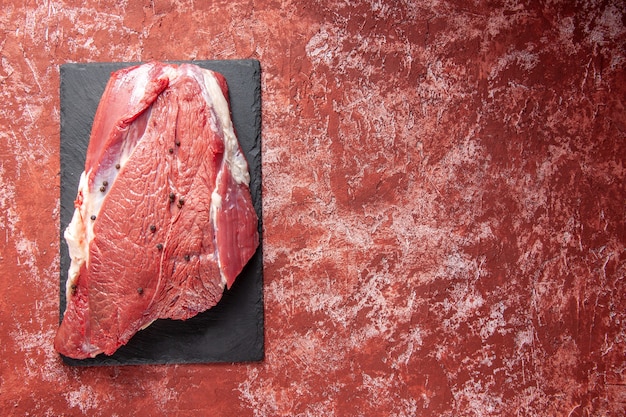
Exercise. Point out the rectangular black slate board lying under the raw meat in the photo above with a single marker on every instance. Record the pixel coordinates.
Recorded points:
(232, 331)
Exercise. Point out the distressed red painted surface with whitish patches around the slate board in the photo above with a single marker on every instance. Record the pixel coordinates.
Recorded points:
(444, 206)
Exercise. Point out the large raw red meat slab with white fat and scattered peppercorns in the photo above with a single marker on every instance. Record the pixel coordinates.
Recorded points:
(163, 216)
